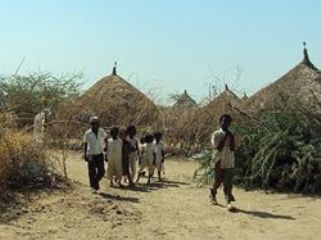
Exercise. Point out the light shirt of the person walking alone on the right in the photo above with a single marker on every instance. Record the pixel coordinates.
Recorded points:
(225, 156)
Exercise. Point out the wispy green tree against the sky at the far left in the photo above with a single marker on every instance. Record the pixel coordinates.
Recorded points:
(27, 95)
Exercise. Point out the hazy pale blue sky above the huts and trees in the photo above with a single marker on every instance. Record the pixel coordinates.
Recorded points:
(164, 45)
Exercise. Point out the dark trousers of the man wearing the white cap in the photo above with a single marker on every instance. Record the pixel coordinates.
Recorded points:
(96, 170)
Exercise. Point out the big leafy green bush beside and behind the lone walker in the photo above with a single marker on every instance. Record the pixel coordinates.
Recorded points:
(279, 151)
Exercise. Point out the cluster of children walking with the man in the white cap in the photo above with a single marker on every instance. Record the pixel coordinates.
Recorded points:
(123, 152)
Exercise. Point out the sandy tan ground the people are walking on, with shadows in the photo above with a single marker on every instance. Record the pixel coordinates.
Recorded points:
(173, 209)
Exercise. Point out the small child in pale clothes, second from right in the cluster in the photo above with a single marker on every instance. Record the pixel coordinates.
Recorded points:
(148, 158)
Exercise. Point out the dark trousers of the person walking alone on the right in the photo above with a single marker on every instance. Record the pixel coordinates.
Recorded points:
(224, 176)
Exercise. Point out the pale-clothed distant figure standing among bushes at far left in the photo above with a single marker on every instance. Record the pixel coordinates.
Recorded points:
(39, 125)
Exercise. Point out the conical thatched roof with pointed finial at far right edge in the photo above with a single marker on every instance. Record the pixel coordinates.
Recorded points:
(293, 87)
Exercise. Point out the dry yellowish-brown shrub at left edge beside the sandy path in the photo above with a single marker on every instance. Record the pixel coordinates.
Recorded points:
(23, 164)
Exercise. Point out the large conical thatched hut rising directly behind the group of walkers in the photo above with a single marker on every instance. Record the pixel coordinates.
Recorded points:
(115, 101)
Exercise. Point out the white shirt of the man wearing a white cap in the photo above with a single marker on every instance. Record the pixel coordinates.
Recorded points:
(95, 144)
